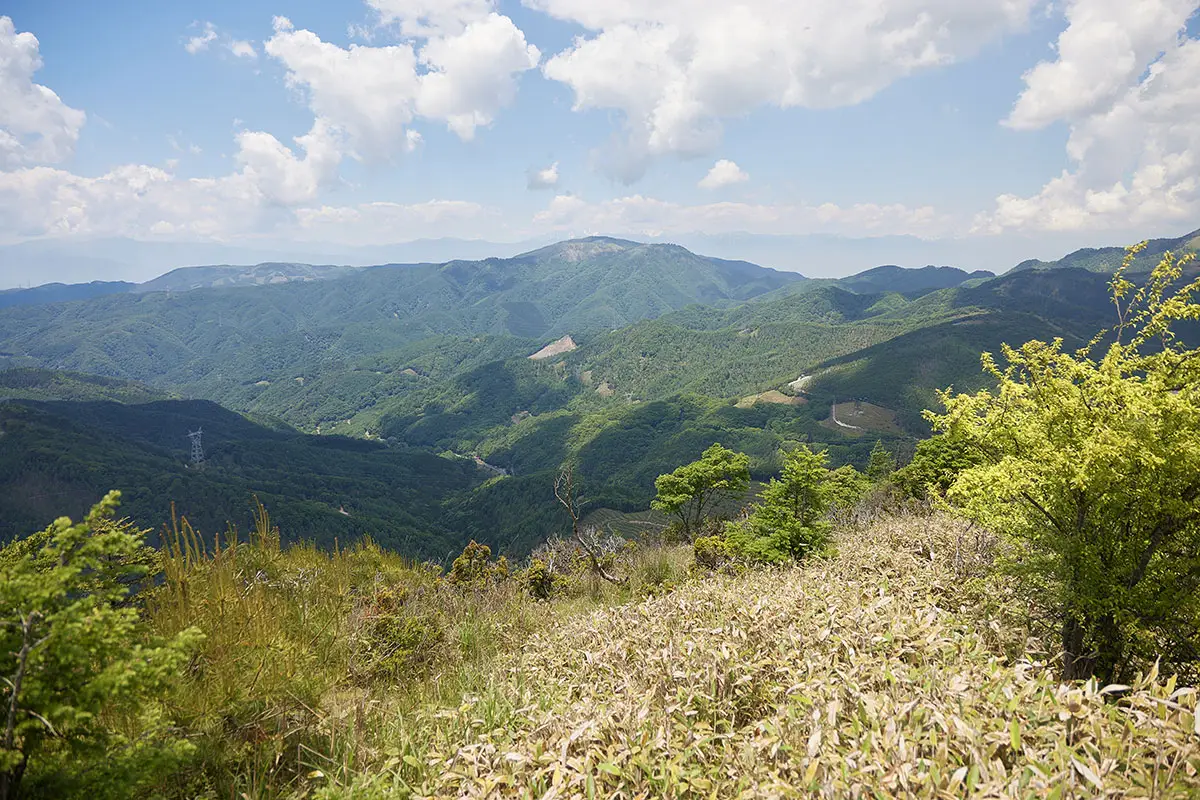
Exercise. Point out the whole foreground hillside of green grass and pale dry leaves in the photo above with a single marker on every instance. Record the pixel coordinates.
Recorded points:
(374, 678)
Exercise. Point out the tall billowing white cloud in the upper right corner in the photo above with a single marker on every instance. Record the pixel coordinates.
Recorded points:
(1127, 81)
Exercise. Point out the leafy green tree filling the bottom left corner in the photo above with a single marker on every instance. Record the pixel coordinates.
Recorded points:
(73, 659)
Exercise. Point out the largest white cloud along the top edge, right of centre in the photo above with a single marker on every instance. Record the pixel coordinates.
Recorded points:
(677, 68)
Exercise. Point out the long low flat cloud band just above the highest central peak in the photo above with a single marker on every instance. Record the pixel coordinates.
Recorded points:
(638, 215)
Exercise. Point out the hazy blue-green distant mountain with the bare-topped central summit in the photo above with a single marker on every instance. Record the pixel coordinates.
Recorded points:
(208, 342)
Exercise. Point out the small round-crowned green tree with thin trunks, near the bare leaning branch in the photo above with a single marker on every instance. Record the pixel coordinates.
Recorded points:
(692, 491)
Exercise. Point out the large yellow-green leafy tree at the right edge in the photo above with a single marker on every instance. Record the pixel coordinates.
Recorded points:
(1091, 467)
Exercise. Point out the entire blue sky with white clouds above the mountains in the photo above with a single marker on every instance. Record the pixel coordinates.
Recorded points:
(993, 124)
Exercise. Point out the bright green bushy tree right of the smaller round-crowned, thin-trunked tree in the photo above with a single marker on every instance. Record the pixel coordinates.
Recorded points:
(789, 521)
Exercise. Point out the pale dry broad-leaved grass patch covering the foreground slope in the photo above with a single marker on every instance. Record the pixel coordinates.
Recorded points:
(872, 673)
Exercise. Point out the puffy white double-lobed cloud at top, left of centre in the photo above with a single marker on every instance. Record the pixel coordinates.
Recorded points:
(461, 79)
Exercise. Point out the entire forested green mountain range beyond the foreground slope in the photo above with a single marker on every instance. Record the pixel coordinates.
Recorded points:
(332, 392)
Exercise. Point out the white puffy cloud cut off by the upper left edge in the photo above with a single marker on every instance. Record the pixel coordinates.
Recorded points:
(35, 125)
